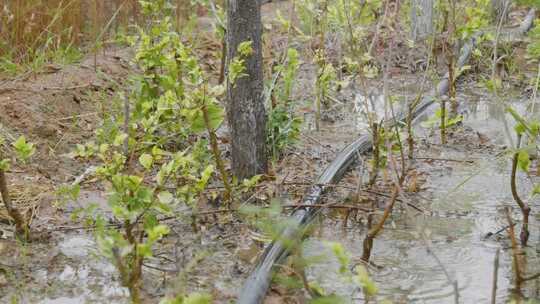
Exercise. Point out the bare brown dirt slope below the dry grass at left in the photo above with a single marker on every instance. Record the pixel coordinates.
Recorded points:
(61, 107)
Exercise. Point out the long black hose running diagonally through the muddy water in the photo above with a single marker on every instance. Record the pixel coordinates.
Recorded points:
(256, 285)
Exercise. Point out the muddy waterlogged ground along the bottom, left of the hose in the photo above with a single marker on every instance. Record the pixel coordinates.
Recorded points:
(69, 268)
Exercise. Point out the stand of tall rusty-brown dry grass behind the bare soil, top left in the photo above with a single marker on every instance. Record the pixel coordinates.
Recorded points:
(36, 32)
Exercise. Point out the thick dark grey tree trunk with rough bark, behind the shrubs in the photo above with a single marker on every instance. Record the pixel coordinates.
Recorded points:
(245, 111)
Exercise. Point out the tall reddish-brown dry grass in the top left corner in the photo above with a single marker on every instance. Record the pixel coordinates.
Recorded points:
(30, 26)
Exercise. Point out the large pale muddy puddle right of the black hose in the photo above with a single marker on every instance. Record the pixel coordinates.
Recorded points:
(465, 202)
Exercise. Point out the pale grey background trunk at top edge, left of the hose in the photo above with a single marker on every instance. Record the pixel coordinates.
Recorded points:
(421, 19)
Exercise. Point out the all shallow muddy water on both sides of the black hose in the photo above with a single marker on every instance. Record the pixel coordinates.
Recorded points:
(462, 190)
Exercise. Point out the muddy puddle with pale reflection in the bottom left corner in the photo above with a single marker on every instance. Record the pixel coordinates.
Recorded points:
(69, 272)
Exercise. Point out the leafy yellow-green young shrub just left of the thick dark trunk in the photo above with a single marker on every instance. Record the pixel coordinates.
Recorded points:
(152, 155)
